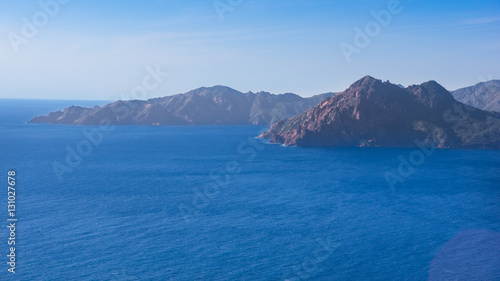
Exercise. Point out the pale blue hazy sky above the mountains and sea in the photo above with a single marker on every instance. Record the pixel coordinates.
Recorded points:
(109, 50)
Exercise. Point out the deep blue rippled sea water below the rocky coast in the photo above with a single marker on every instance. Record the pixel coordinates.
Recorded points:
(213, 203)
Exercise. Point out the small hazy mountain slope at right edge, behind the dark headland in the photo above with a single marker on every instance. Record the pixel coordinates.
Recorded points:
(485, 96)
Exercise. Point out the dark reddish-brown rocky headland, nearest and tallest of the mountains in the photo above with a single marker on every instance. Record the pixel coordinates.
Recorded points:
(376, 113)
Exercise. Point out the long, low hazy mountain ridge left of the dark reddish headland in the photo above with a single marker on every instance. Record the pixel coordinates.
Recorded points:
(218, 105)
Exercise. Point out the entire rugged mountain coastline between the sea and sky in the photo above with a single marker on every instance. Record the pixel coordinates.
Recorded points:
(369, 113)
